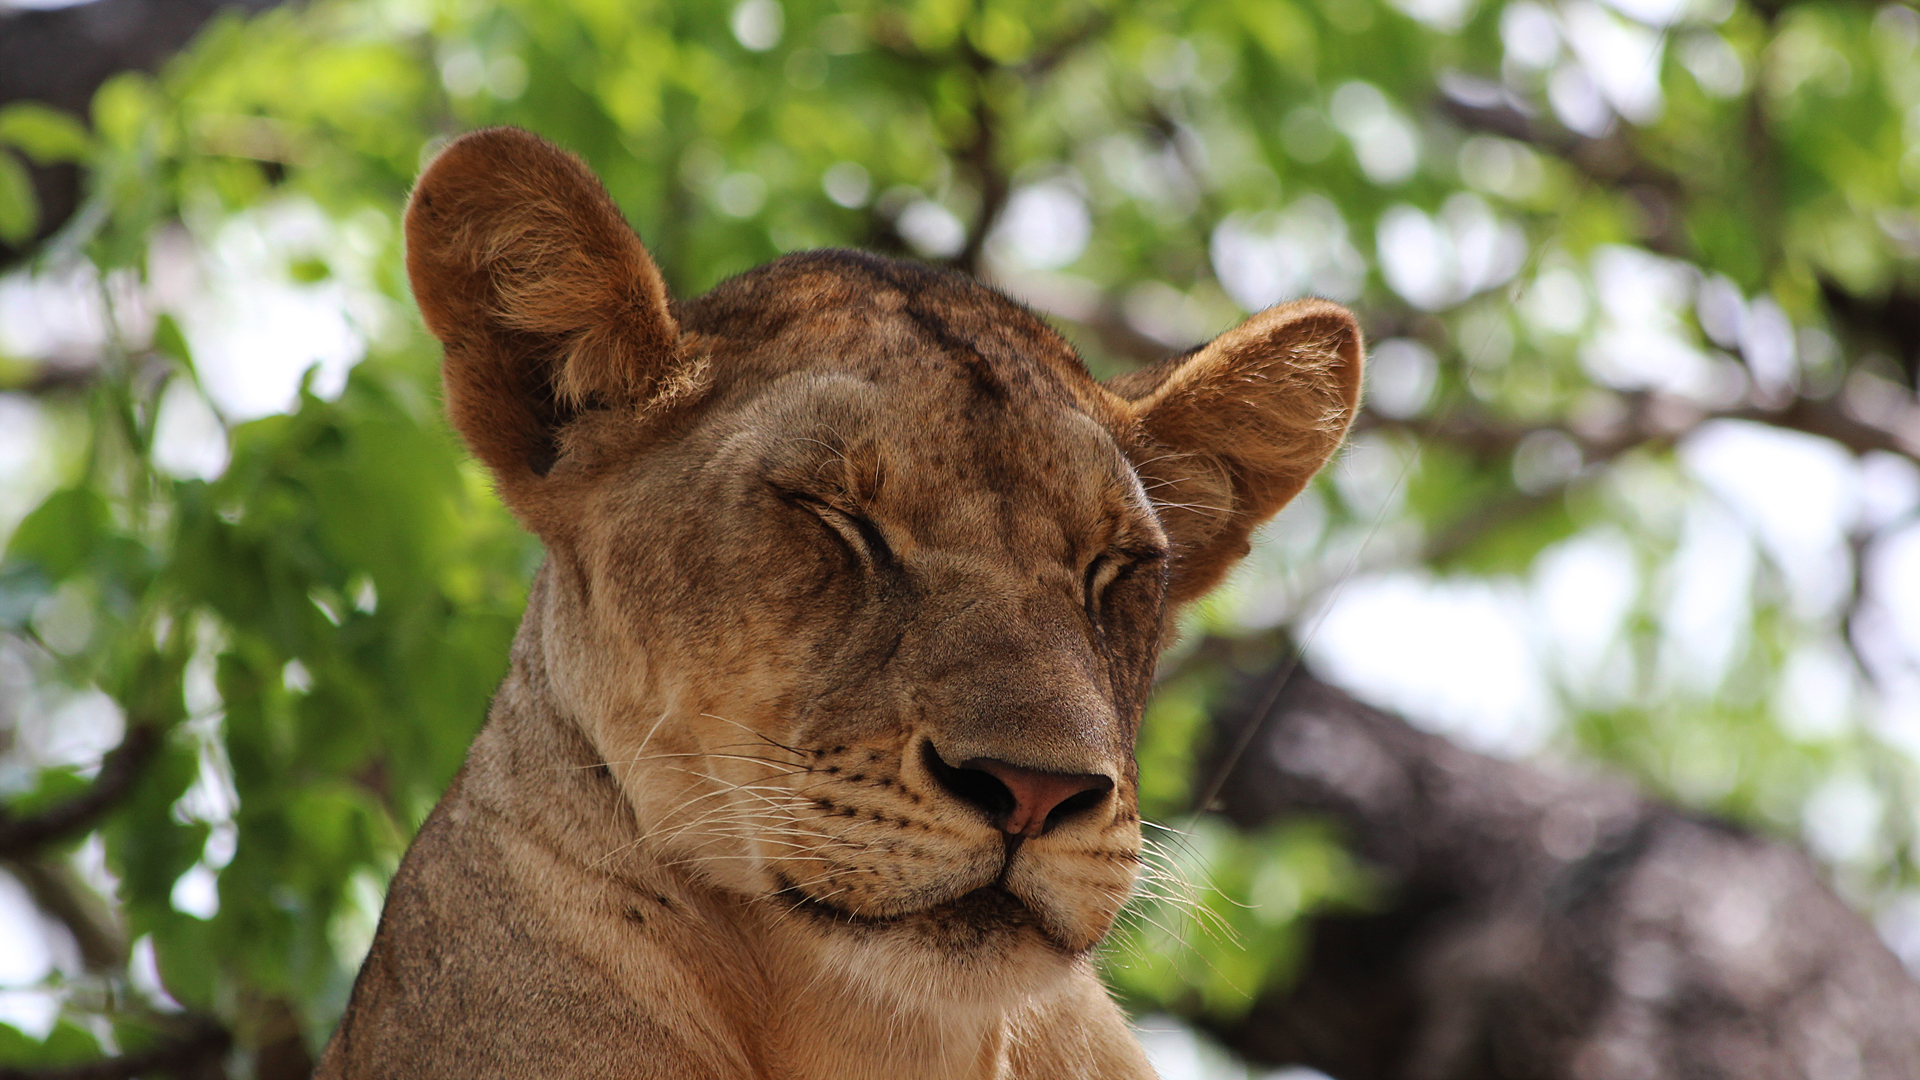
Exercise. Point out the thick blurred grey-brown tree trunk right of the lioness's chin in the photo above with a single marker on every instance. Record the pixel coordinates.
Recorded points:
(1548, 925)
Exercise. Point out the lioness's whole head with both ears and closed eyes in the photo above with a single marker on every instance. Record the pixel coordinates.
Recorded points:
(855, 576)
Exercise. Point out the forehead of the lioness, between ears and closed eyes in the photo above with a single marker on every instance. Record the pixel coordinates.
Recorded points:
(928, 397)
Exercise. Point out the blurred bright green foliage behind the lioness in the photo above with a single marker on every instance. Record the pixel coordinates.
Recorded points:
(1573, 232)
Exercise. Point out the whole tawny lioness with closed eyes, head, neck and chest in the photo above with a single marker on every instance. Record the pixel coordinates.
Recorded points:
(817, 750)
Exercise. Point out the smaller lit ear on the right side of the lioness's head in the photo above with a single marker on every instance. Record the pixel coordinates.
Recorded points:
(1232, 431)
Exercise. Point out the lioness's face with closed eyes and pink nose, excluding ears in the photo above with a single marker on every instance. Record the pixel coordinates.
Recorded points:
(855, 576)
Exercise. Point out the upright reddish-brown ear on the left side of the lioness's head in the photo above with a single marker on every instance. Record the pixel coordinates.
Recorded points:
(540, 293)
